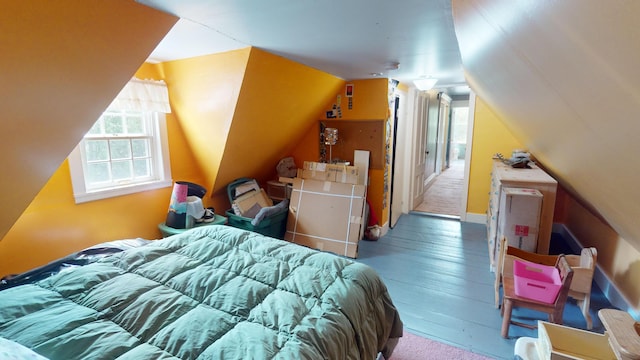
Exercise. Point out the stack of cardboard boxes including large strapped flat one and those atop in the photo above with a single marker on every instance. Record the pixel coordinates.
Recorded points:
(328, 205)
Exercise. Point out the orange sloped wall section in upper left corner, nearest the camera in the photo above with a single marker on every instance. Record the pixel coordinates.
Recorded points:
(62, 63)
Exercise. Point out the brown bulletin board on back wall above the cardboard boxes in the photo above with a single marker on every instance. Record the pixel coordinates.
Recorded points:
(356, 135)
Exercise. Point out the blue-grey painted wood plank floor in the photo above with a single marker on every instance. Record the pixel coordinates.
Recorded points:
(437, 272)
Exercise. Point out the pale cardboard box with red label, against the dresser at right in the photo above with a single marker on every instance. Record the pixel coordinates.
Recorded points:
(519, 217)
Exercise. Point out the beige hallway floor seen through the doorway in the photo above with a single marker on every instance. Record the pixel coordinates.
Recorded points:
(443, 197)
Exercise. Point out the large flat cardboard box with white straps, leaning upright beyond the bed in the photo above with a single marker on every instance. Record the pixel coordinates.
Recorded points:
(326, 215)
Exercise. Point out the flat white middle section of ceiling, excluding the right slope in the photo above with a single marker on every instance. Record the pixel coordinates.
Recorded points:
(358, 39)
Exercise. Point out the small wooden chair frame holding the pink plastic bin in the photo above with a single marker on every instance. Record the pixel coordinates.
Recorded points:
(553, 310)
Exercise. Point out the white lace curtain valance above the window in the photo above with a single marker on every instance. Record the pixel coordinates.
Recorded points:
(143, 95)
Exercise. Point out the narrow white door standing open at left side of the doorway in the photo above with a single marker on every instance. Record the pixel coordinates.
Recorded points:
(421, 105)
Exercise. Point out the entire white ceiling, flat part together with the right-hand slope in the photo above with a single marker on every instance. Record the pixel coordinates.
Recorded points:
(561, 74)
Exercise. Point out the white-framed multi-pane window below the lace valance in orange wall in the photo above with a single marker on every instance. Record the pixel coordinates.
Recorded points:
(124, 152)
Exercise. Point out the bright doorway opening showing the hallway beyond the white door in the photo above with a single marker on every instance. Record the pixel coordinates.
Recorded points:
(443, 195)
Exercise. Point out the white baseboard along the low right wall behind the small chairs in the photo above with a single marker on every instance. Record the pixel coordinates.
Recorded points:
(615, 297)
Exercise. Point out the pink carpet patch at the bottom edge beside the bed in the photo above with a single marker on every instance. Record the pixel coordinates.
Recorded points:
(413, 347)
